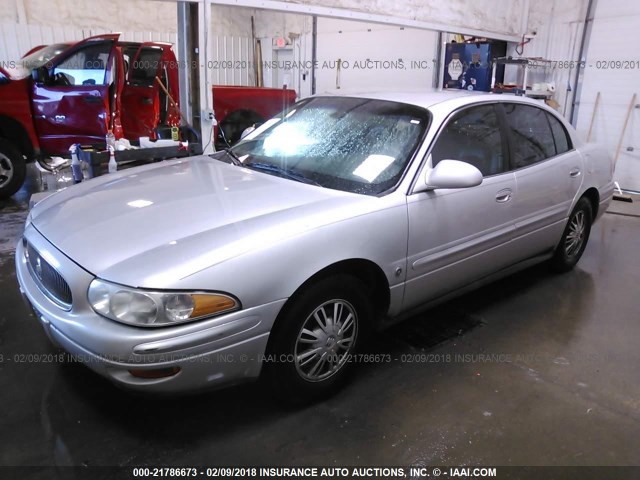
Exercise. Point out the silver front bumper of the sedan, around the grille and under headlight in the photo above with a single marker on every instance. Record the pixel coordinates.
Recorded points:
(211, 353)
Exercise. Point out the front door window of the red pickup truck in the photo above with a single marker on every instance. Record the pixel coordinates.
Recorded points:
(86, 66)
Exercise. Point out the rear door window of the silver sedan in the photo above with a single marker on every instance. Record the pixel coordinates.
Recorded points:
(532, 139)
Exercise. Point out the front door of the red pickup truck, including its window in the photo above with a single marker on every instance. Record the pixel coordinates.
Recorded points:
(73, 104)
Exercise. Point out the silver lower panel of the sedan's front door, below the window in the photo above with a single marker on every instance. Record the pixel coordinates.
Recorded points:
(458, 236)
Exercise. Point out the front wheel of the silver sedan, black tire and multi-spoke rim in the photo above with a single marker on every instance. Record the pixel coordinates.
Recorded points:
(312, 344)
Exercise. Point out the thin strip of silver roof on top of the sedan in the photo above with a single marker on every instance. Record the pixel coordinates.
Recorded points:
(429, 97)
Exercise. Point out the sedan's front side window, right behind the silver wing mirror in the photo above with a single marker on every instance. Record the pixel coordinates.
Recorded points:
(472, 136)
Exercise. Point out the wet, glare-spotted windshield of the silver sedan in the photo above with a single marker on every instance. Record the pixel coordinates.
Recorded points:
(351, 144)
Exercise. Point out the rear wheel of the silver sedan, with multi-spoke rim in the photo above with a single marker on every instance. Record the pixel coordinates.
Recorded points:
(574, 238)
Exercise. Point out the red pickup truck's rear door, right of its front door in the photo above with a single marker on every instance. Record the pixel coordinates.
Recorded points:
(145, 105)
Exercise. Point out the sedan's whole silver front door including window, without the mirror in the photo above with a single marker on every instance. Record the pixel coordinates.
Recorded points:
(457, 236)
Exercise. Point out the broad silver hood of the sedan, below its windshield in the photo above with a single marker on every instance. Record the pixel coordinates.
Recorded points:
(182, 216)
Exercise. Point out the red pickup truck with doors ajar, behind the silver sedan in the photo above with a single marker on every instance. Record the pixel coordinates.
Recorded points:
(67, 93)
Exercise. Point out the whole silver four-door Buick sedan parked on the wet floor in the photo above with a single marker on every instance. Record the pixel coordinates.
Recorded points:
(275, 257)
